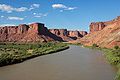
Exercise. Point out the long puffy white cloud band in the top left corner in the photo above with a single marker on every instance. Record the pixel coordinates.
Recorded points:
(9, 9)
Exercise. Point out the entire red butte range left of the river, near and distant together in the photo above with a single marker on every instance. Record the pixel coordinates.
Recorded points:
(37, 32)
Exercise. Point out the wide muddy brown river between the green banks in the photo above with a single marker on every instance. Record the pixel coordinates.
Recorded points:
(75, 63)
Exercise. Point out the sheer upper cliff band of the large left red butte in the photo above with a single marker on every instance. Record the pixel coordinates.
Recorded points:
(22, 28)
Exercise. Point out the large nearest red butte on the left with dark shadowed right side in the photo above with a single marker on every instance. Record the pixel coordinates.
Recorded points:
(35, 32)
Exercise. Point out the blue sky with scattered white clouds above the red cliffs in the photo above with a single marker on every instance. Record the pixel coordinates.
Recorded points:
(70, 14)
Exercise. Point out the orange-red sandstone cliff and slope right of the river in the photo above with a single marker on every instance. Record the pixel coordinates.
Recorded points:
(105, 34)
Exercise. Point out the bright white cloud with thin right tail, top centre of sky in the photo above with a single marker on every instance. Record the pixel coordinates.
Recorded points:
(63, 7)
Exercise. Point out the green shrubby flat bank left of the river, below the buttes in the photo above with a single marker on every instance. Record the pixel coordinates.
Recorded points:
(11, 53)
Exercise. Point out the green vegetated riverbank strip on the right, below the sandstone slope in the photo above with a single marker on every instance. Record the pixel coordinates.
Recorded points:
(113, 57)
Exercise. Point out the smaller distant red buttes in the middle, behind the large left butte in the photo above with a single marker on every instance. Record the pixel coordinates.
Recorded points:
(68, 35)
